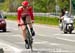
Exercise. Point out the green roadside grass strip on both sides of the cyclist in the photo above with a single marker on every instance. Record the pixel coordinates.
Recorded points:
(40, 20)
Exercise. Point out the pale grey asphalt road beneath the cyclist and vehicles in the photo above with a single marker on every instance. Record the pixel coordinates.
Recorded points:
(48, 39)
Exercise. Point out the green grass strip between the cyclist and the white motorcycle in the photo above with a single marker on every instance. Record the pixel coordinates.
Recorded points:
(46, 20)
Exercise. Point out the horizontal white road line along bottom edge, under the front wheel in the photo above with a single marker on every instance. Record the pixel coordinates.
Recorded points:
(52, 50)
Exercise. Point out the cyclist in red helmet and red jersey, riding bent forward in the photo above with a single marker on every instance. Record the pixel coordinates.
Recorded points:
(22, 11)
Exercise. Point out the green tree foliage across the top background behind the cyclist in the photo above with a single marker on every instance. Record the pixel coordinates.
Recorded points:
(38, 5)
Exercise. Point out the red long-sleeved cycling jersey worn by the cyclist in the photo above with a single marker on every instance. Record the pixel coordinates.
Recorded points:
(21, 12)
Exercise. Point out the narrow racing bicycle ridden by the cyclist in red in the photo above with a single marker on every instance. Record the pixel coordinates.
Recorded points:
(28, 33)
